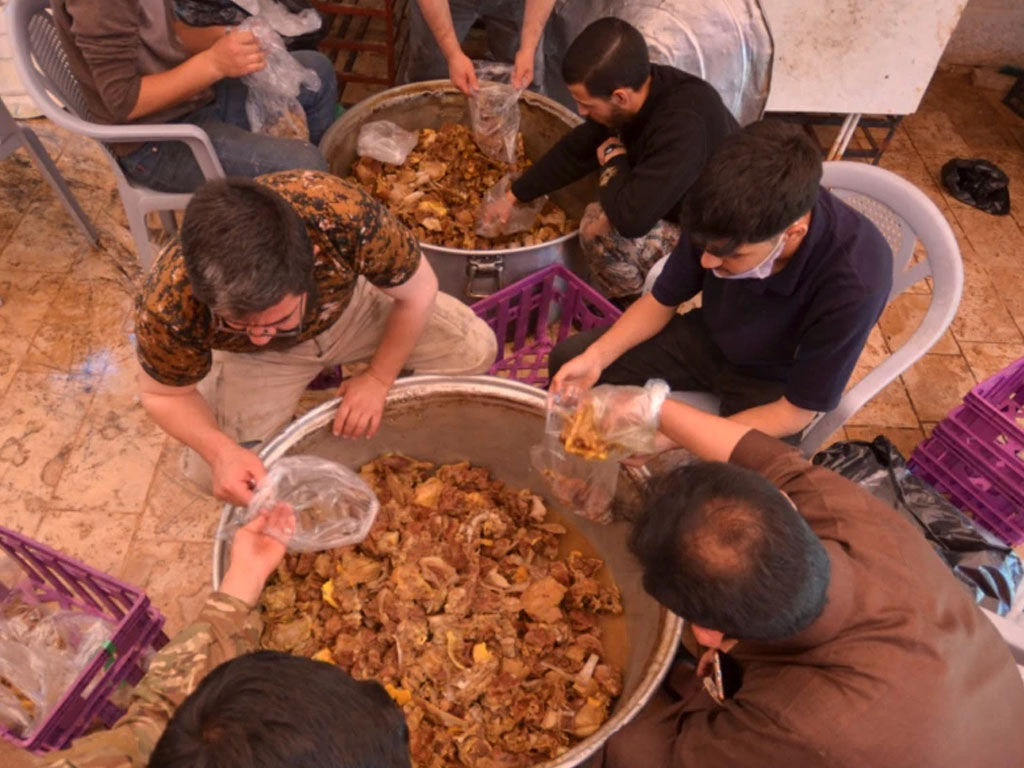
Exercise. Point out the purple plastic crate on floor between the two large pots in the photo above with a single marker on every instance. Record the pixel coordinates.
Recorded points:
(524, 313)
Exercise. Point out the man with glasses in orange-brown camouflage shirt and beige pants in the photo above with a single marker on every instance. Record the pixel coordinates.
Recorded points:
(275, 280)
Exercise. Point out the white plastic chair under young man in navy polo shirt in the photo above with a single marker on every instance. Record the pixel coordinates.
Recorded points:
(904, 214)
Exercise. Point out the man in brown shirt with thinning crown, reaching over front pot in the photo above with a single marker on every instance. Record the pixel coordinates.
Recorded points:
(822, 628)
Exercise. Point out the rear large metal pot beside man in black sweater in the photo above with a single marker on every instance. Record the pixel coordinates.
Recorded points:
(472, 275)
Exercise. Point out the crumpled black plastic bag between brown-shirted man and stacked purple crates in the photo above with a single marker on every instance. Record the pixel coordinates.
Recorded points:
(980, 561)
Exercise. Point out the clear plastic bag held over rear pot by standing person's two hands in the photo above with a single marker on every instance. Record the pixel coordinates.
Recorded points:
(494, 112)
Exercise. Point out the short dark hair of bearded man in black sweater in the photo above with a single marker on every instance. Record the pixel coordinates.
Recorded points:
(607, 56)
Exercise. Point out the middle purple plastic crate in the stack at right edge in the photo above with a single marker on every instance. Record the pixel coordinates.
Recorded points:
(996, 452)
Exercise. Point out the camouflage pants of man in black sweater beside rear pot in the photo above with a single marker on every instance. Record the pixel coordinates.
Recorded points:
(619, 266)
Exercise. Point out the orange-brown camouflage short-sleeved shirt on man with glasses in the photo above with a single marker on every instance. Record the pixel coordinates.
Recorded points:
(353, 235)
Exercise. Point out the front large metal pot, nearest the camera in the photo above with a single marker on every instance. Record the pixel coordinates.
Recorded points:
(494, 422)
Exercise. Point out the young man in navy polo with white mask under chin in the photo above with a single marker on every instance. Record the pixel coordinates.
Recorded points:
(793, 280)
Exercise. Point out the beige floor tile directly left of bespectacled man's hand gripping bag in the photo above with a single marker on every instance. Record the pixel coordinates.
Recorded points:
(176, 508)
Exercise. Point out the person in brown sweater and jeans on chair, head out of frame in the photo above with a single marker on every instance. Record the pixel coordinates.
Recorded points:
(138, 65)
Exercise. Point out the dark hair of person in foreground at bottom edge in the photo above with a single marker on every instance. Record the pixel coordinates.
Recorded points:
(273, 710)
